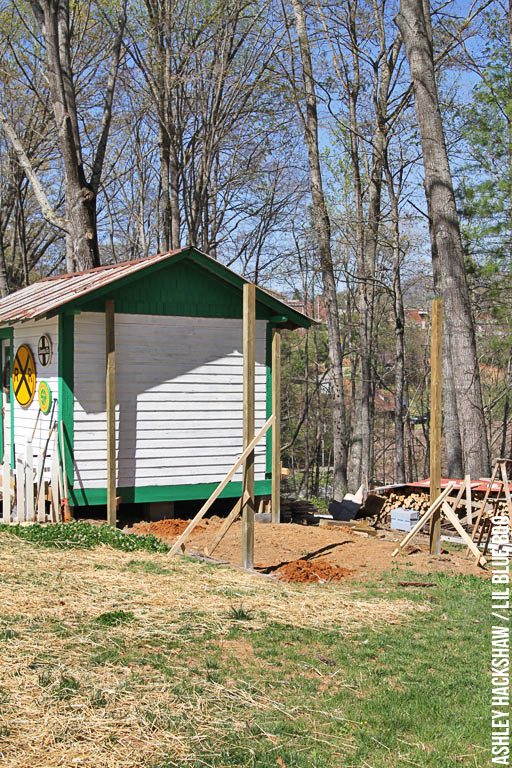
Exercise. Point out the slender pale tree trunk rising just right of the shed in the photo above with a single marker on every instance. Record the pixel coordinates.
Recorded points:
(322, 227)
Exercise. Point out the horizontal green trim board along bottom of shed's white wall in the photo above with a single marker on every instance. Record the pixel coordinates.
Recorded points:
(85, 497)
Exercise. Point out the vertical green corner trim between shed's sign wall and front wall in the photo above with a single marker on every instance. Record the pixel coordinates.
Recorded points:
(66, 383)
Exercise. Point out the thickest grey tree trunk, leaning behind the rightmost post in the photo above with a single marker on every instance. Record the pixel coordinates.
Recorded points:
(449, 274)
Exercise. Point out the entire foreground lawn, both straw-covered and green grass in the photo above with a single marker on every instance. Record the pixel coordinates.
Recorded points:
(127, 658)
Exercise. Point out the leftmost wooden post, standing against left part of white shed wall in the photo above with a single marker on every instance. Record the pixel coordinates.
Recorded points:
(110, 389)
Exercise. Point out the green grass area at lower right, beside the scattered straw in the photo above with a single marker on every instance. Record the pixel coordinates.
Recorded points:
(415, 694)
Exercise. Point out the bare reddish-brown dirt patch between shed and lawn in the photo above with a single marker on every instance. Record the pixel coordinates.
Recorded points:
(295, 552)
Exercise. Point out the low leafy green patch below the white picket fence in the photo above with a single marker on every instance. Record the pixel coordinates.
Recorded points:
(80, 535)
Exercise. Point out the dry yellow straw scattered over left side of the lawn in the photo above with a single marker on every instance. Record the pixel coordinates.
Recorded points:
(64, 704)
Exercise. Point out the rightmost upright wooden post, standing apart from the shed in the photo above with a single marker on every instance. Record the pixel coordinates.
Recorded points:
(436, 421)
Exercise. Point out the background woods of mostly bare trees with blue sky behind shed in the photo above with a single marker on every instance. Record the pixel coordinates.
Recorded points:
(354, 156)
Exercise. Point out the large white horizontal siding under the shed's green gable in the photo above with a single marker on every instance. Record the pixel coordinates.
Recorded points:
(179, 399)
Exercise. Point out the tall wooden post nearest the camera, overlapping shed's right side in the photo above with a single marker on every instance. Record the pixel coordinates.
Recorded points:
(249, 332)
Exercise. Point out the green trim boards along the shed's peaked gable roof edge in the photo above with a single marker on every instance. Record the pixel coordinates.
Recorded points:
(264, 300)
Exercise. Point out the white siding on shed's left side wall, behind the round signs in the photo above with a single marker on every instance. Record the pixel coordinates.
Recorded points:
(25, 418)
